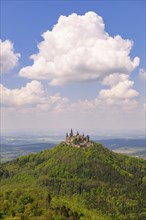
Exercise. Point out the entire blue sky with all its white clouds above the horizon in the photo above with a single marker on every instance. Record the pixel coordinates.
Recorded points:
(73, 64)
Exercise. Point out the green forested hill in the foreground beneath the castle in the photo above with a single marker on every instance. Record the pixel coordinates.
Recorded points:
(70, 183)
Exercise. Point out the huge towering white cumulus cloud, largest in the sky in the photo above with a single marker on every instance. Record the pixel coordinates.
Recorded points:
(79, 49)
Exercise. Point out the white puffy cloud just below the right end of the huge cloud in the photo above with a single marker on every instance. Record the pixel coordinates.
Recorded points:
(120, 95)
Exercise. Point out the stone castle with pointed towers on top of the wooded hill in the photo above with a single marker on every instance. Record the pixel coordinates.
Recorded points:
(78, 140)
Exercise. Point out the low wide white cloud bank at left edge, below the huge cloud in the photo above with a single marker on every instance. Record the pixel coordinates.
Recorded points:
(31, 96)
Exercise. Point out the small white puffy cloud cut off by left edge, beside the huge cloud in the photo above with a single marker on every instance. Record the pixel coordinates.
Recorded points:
(8, 58)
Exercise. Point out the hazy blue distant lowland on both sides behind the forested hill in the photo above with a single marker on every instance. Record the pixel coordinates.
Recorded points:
(12, 147)
